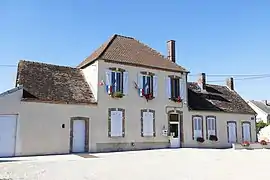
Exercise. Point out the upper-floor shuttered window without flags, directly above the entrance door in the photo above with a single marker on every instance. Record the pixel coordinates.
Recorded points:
(174, 89)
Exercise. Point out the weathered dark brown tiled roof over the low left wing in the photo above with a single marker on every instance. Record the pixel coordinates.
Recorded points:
(54, 83)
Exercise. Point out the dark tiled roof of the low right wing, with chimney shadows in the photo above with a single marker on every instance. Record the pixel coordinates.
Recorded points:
(216, 98)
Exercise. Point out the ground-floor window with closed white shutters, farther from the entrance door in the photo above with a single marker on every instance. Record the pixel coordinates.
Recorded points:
(116, 122)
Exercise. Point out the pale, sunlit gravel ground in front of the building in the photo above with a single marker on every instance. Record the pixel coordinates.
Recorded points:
(177, 164)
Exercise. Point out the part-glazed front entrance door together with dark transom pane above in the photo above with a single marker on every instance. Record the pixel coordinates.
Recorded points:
(174, 130)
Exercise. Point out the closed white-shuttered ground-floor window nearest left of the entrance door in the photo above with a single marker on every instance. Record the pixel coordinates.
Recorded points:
(147, 123)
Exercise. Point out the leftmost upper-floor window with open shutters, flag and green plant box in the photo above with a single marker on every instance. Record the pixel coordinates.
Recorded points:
(116, 81)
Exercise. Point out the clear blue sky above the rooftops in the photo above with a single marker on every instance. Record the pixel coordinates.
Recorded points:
(215, 37)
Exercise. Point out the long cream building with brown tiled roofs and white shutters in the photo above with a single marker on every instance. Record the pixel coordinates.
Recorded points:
(124, 96)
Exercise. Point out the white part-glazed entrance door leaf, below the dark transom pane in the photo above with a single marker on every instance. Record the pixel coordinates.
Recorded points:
(175, 134)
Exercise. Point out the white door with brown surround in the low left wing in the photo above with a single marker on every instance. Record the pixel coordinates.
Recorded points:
(78, 143)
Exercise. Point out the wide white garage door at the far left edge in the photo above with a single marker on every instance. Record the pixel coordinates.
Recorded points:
(7, 135)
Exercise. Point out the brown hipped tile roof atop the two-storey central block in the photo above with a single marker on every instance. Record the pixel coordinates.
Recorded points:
(127, 50)
